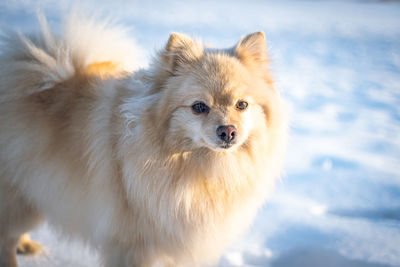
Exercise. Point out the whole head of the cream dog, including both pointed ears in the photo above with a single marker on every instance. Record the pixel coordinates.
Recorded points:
(212, 98)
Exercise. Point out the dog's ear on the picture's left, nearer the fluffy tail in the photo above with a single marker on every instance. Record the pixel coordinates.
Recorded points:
(181, 50)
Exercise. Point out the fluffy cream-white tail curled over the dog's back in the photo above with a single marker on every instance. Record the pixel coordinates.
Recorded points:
(85, 47)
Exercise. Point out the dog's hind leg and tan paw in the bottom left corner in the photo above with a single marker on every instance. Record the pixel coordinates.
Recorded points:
(17, 217)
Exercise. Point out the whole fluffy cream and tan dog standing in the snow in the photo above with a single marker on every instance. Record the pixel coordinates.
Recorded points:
(161, 166)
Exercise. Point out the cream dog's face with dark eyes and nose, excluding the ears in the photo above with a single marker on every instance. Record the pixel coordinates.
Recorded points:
(215, 109)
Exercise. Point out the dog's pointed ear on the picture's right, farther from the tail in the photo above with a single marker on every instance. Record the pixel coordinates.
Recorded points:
(252, 49)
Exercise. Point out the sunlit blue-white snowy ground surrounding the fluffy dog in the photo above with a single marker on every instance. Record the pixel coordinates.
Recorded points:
(338, 65)
